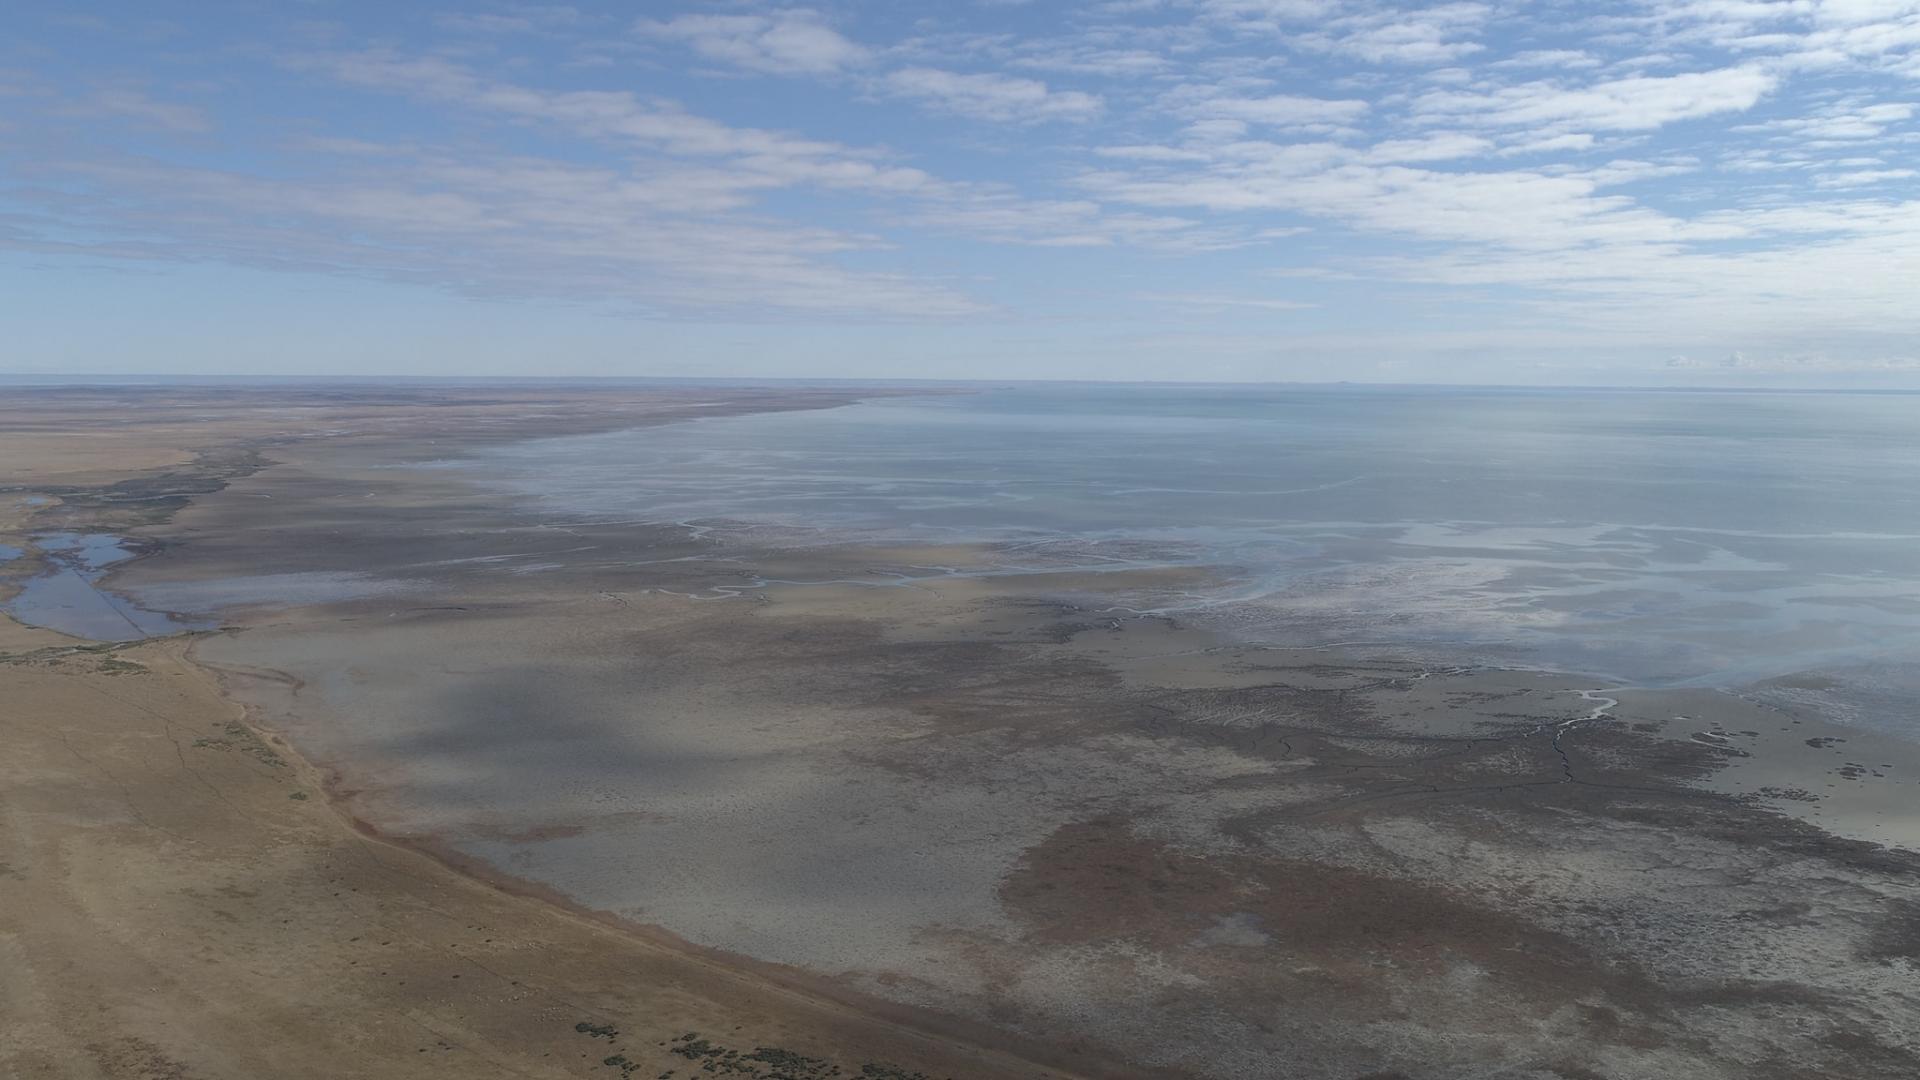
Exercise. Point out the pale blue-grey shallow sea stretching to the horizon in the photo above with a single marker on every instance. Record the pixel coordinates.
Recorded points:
(1648, 537)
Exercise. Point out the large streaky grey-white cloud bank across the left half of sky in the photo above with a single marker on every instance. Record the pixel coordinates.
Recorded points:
(671, 230)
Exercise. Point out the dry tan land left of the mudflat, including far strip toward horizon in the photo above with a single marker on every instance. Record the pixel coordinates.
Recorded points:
(181, 898)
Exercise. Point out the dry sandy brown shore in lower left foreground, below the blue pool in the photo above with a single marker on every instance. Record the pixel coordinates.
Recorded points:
(168, 895)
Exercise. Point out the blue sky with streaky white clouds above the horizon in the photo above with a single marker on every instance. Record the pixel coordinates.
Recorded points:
(1717, 193)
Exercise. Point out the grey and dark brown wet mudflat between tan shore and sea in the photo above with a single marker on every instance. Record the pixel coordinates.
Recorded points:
(996, 810)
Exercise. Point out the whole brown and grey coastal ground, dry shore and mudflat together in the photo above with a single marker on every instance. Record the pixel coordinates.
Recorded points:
(878, 808)
